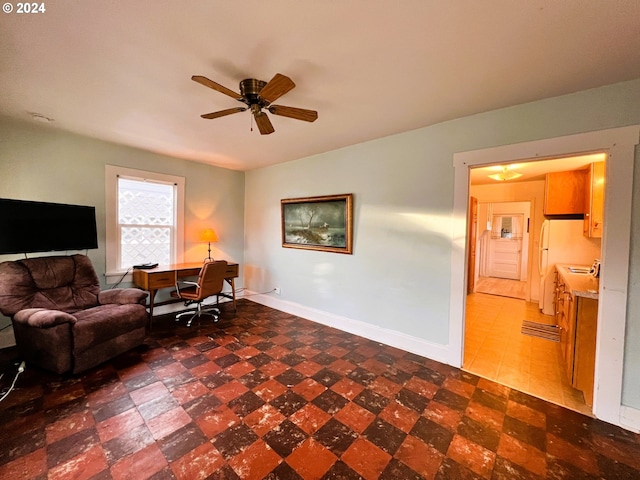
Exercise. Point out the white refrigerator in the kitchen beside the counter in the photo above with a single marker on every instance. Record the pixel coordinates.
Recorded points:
(562, 241)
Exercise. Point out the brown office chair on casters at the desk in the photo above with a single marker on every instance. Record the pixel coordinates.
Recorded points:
(210, 282)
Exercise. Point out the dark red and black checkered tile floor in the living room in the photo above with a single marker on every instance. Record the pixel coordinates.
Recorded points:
(267, 395)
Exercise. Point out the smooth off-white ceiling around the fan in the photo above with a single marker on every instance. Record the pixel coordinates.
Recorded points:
(120, 70)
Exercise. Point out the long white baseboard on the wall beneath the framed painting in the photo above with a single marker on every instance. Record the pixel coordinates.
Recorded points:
(385, 336)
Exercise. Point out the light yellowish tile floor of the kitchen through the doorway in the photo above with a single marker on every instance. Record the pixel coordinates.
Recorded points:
(497, 350)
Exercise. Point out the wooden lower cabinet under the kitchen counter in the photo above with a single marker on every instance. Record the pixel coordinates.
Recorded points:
(577, 318)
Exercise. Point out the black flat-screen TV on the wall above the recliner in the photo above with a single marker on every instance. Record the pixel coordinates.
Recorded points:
(27, 227)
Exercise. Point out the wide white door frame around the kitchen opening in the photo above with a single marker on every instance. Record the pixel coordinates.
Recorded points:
(619, 144)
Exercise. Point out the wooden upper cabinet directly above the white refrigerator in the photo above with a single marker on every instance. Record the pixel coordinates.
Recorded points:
(565, 193)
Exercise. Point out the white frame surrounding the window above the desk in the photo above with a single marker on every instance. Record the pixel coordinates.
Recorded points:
(112, 172)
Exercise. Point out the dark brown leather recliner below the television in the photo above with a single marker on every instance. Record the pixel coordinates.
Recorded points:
(61, 320)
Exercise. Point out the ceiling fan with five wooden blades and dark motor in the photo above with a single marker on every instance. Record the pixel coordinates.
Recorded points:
(258, 95)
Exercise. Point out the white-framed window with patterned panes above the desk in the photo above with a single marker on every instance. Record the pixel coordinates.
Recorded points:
(144, 218)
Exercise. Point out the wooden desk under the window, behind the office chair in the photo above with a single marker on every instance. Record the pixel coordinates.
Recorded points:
(165, 276)
